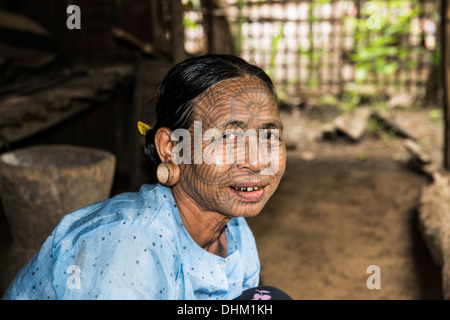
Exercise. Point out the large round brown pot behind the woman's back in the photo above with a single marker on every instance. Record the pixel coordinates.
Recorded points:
(41, 184)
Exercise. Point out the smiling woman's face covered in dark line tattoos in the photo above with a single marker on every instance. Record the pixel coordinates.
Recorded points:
(243, 155)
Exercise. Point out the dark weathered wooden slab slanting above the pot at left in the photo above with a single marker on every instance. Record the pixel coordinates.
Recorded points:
(24, 116)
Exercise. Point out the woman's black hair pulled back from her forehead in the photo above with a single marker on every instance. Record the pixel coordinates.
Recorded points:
(173, 102)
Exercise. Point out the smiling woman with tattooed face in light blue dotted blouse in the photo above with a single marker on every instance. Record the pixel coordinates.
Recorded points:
(185, 237)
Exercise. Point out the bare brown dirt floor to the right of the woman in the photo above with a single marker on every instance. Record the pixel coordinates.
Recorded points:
(342, 207)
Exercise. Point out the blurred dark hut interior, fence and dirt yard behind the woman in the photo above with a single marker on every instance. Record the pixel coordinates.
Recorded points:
(362, 97)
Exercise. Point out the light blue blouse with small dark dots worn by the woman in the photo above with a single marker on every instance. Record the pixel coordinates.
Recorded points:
(134, 246)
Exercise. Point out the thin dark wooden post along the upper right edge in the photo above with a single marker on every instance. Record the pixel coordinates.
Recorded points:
(445, 9)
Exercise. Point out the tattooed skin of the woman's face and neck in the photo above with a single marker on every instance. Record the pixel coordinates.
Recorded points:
(205, 193)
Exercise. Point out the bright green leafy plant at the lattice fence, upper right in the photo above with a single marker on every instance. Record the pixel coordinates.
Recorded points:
(382, 48)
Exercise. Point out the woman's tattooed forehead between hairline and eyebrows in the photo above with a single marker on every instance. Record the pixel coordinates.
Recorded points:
(237, 99)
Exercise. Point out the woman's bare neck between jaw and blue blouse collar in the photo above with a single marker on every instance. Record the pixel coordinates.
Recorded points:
(206, 228)
